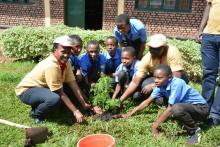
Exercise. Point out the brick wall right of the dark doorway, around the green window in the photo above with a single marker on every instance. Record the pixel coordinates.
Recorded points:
(182, 25)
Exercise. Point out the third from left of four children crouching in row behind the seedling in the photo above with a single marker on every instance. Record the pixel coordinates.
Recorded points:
(112, 55)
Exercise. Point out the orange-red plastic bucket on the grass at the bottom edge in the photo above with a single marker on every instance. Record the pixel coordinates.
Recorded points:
(97, 140)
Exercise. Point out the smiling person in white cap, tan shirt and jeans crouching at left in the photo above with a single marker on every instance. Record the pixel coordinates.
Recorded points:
(42, 88)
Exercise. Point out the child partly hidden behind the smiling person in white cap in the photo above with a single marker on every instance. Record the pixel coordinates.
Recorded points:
(77, 48)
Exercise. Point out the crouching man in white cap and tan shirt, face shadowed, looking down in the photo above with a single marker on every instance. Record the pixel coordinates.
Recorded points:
(159, 53)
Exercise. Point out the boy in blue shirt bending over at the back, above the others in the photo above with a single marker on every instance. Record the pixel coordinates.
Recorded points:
(131, 32)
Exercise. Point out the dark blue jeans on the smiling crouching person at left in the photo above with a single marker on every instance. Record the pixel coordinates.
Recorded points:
(41, 100)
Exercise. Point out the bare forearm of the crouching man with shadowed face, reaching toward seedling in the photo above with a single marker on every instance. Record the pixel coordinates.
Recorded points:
(131, 88)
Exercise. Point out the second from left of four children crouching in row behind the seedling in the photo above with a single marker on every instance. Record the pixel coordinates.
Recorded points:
(92, 64)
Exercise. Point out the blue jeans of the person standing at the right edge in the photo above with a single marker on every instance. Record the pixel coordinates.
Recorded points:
(210, 65)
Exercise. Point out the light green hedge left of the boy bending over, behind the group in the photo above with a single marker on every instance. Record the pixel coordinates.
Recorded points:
(31, 43)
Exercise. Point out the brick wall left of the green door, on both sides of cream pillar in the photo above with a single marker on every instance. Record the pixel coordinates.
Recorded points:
(30, 14)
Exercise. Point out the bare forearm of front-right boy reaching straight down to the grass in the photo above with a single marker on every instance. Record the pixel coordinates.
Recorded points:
(162, 118)
